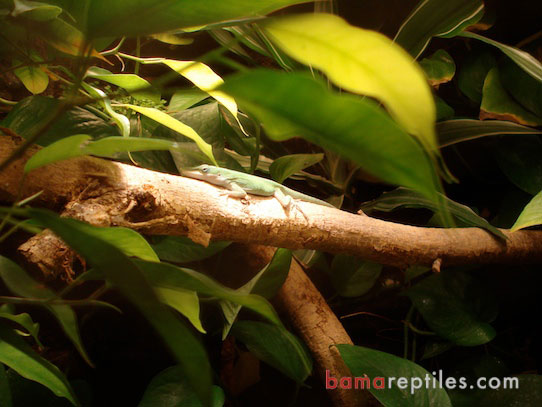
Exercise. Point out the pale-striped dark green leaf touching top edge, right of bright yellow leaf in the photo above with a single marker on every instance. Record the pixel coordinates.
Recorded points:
(433, 18)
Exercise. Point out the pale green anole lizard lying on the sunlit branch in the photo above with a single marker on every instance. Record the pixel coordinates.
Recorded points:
(239, 185)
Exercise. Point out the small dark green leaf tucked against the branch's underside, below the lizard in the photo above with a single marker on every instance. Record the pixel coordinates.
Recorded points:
(180, 249)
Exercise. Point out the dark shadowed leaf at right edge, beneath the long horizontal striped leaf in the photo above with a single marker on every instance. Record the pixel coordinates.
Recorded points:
(519, 160)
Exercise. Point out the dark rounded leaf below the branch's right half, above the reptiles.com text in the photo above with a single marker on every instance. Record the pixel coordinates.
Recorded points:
(456, 307)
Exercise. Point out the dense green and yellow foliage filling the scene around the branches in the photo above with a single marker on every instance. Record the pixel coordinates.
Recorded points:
(433, 121)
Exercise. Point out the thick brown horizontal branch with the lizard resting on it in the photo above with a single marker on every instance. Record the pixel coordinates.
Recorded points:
(113, 194)
